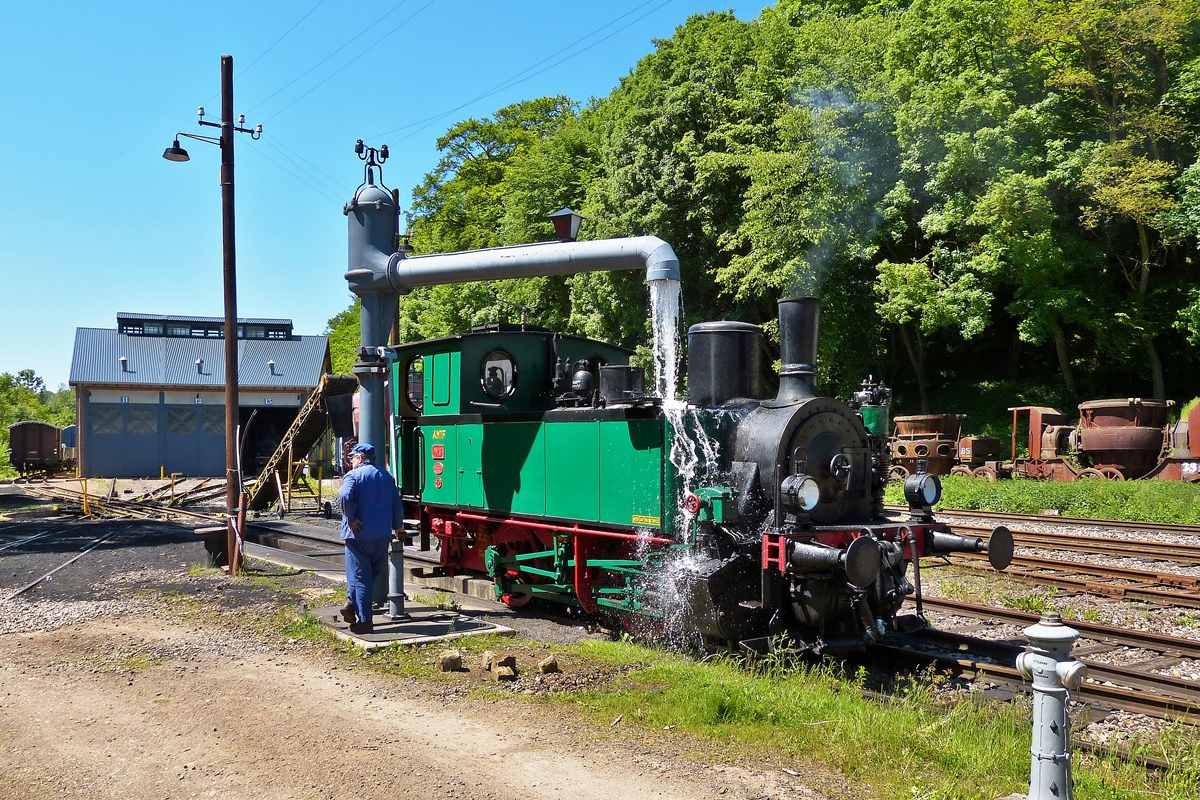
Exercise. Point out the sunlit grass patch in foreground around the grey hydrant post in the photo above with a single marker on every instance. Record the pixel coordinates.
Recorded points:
(905, 748)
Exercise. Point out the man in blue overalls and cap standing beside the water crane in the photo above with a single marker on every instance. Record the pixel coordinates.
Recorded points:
(371, 512)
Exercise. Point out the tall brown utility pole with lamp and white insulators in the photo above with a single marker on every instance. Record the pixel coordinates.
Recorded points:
(175, 153)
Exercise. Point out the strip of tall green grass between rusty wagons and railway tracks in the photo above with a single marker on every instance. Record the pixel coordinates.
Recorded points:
(1166, 502)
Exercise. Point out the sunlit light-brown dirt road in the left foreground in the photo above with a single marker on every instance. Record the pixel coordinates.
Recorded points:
(113, 699)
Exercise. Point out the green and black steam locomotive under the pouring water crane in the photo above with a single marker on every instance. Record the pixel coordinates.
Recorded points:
(542, 461)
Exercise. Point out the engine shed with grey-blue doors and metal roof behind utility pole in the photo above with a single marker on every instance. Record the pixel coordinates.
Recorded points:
(151, 393)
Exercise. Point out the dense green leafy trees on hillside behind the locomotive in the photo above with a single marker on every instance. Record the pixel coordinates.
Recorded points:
(994, 199)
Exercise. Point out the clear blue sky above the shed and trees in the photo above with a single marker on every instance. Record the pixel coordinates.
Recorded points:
(94, 221)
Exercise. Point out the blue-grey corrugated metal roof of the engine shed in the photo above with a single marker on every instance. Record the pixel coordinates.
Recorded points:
(165, 362)
